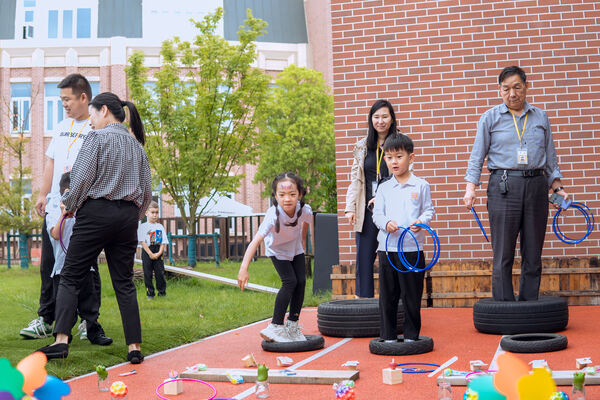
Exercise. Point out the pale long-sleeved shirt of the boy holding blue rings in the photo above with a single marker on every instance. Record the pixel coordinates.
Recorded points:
(403, 203)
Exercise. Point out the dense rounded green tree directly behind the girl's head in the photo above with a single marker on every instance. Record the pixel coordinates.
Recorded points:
(298, 135)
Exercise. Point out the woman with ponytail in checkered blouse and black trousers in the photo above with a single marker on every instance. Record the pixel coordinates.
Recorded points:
(111, 189)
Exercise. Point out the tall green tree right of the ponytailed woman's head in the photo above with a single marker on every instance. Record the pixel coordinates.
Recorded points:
(201, 116)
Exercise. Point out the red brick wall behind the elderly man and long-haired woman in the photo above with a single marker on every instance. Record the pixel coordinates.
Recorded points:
(438, 63)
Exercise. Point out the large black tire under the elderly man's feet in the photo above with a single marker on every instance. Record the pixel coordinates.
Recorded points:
(545, 315)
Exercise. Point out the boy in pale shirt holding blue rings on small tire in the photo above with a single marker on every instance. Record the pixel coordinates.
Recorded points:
(402, 201)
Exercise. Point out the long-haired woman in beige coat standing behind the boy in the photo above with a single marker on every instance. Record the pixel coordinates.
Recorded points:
(368, 170)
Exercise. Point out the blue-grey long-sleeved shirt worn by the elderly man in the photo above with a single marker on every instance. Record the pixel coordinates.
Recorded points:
(497, 139)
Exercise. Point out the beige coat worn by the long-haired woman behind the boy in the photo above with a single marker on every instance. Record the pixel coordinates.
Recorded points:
(355, 196)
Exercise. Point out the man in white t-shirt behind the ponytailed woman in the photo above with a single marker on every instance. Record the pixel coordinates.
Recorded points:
(75, 93)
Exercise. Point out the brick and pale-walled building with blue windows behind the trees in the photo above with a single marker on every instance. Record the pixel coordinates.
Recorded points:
(43, 41)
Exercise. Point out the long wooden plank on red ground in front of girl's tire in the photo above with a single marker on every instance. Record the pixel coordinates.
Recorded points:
(323, 377)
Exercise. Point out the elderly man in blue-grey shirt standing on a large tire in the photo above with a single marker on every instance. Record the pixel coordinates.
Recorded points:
(517, 139)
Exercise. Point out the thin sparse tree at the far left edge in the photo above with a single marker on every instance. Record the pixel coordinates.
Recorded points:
(17, 211)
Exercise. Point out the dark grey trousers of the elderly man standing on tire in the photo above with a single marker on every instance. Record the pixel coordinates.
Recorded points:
(522, 211)
